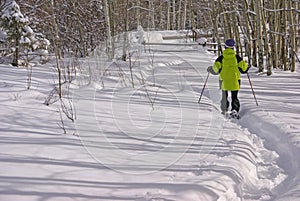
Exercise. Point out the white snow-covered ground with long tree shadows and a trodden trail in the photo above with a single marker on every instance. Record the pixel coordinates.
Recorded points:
(153, 142)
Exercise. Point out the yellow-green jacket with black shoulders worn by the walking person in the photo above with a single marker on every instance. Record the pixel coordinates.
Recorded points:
(229, 66)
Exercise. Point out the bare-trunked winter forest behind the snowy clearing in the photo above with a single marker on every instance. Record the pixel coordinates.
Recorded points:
(266, 31)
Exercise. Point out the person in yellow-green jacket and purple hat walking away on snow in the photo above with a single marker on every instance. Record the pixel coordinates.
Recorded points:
(229, 66)
